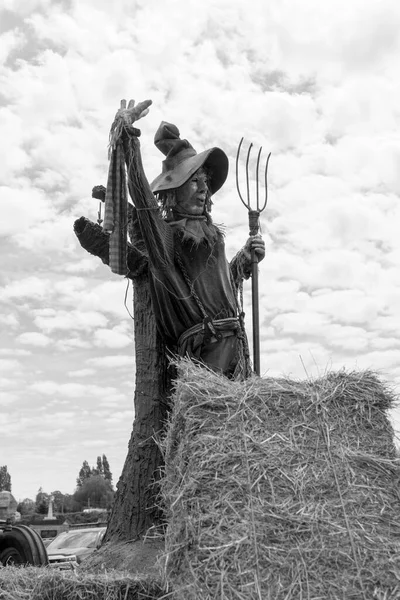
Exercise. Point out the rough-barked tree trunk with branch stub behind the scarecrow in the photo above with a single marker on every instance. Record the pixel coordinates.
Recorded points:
(136, 506)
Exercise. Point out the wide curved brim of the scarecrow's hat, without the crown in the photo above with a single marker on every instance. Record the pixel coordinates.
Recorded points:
(215, 159)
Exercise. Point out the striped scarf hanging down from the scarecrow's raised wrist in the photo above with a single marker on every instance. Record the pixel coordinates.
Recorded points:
(116, 209)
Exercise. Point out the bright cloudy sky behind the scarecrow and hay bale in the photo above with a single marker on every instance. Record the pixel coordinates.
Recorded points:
(316, 83)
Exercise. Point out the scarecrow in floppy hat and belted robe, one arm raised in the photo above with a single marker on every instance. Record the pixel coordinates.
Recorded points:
(194, 289)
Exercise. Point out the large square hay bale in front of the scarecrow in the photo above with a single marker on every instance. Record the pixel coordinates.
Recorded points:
(277, 489)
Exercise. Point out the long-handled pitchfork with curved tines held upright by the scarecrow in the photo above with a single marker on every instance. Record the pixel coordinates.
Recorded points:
(254, 226)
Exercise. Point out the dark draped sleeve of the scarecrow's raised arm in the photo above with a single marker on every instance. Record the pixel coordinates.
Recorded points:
(157, 235)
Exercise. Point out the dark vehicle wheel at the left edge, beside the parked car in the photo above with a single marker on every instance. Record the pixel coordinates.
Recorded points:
(22, 545)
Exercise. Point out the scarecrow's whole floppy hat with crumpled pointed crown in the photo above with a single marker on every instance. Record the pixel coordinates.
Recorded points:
(182, 161)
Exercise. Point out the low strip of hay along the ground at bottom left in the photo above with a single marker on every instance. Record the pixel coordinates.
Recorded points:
(44, 583)
